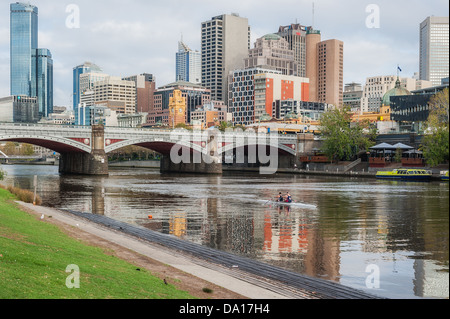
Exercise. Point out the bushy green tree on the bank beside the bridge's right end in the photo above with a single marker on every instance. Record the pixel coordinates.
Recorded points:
(343, 140)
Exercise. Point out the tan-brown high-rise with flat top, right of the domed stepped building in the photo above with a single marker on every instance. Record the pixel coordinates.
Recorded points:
(325, 68)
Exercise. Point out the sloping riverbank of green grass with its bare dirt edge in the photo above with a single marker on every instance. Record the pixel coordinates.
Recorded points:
(37, 244)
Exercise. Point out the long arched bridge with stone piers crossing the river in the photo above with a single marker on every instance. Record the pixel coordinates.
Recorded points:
(84, 149)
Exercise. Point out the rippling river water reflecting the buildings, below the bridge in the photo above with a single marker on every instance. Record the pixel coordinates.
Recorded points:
(384, 237)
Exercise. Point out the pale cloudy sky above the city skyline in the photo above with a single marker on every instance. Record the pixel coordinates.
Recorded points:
(129, 37)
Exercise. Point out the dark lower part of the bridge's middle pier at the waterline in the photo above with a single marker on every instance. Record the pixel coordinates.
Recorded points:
(167, 166)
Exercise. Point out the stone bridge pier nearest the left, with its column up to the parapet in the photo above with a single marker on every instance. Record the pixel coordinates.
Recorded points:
(94, 163)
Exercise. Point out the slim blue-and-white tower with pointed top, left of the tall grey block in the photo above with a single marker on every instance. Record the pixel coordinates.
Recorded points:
(188, 64)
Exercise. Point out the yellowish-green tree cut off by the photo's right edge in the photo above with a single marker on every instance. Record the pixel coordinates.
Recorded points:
(435, 143)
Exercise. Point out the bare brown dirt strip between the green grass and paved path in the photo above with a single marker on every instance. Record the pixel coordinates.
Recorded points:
(180, 279)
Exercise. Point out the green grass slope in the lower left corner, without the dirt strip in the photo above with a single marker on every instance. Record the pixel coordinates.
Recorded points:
(34, 256)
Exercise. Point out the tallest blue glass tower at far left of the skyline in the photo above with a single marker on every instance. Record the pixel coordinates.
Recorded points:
(24, 42)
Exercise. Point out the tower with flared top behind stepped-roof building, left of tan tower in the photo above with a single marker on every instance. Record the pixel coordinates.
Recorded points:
(295, 35)
